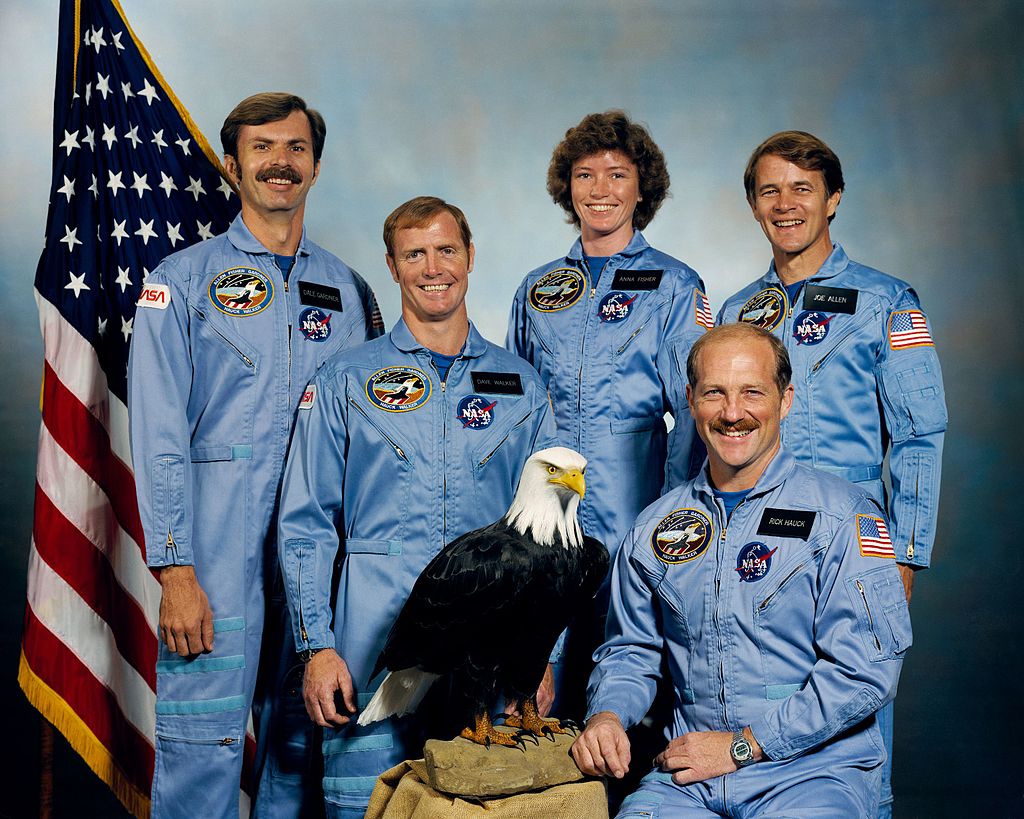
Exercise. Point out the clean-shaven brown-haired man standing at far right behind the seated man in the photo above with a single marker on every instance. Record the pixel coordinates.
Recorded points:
(868, 377)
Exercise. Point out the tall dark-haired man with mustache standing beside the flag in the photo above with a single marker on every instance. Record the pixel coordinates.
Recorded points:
(228, 334)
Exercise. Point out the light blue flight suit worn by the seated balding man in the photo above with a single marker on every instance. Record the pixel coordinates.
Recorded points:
(789, 618)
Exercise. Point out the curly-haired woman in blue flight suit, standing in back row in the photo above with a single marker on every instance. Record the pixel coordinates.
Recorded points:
(609, 328)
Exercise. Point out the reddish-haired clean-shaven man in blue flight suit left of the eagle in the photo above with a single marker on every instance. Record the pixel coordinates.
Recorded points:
(401, 446)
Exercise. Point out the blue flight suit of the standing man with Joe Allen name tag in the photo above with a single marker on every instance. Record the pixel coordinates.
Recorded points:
(868, 380)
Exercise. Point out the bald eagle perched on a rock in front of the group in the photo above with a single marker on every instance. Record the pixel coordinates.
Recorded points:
(486, 613)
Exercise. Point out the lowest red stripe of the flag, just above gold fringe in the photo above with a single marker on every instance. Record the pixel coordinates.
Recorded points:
(92, 701)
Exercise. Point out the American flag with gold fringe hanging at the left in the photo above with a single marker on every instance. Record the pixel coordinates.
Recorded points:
(134, 181)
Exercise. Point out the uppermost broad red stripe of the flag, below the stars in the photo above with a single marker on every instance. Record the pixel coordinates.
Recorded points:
(86, 440)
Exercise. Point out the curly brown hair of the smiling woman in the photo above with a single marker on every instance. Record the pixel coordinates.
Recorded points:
(612, 131)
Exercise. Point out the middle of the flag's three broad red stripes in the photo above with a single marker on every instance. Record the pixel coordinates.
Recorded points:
(87, 571)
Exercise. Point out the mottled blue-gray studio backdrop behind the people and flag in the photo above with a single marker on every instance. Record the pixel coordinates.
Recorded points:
(922, 101)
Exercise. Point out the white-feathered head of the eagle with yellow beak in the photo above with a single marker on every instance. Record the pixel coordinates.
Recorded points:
(546, 502)
